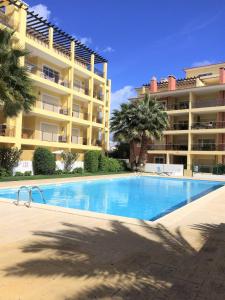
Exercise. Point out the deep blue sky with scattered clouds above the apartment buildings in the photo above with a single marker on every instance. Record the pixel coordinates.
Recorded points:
(142, 38)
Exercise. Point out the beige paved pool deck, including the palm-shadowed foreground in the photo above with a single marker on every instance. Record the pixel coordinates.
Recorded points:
(62, 254)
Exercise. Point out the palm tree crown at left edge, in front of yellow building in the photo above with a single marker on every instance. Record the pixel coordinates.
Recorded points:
(15, 86)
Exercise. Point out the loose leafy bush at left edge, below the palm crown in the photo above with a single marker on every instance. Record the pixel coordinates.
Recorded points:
(9, 158)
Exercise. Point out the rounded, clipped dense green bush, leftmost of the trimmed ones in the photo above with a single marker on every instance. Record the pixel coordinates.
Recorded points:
(43, 162)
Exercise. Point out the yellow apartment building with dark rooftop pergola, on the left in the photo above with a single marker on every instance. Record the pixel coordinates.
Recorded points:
(70, 83)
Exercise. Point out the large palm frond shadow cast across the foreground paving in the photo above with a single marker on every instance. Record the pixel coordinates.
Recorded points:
(156, 264)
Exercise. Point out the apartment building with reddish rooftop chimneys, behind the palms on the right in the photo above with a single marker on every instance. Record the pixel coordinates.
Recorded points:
(196, 110)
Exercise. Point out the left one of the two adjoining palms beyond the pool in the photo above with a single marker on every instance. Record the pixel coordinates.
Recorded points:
(124, 129)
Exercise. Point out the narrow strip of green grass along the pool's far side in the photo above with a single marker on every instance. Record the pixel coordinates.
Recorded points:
(36, 177)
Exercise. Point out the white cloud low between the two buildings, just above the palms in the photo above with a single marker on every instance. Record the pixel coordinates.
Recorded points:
(122, 95)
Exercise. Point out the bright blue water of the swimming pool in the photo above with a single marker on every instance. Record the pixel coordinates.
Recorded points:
(146, 198)
